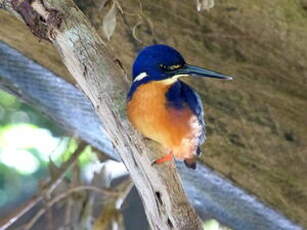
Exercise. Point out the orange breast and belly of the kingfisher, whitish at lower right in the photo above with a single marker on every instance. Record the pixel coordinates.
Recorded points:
(175, 129)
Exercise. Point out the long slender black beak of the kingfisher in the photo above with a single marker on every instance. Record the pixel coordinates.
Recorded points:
(201, 72)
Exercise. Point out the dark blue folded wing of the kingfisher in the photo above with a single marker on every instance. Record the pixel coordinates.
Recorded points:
(180, 95)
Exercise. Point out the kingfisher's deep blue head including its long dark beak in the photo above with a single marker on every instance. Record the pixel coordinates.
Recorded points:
(161, 62)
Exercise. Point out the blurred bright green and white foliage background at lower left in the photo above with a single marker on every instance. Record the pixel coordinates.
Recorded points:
(28, 142)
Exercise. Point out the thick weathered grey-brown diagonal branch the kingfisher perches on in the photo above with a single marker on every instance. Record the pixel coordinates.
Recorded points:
(101, 79)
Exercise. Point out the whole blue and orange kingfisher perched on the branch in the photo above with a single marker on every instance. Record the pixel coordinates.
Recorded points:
(165, 109)
